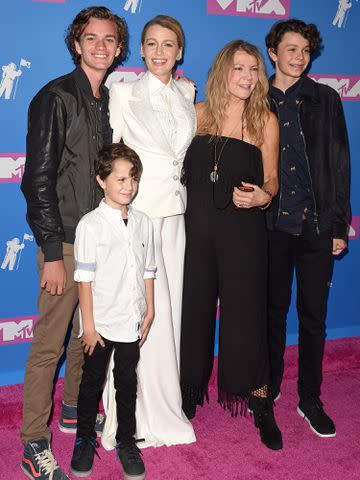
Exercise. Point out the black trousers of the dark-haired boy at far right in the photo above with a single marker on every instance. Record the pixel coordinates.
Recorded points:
(311, 256)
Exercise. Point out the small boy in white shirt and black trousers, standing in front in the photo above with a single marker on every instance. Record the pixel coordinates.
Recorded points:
(115, 268)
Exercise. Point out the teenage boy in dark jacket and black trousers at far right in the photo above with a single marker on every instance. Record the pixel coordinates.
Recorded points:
(308, 220)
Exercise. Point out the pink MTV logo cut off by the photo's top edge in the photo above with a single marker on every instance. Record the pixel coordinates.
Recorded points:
(250, 8)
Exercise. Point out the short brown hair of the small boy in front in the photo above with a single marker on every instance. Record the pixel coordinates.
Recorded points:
(117, 151)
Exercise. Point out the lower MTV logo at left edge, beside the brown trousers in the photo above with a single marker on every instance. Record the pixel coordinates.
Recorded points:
(16, 330)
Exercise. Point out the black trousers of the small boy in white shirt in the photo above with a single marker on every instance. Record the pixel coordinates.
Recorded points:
(126, 357)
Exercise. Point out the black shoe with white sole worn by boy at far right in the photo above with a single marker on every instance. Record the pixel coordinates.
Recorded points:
(320, 423)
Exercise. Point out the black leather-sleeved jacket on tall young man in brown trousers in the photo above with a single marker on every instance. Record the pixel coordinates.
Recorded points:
(63, 138)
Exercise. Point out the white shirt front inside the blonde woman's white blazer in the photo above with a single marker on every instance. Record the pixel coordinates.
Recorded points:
(167, 107)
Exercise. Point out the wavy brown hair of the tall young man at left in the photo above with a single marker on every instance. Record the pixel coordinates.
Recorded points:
(74, 31)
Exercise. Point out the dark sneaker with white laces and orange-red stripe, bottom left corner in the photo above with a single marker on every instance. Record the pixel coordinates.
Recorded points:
(38, 462)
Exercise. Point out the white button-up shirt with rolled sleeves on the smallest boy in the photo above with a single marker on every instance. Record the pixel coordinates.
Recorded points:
(116, 259)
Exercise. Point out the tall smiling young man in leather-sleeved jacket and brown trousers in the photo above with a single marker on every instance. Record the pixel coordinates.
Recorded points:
(67, 126)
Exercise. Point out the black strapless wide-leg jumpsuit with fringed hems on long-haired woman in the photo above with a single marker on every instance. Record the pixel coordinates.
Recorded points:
(225, 258)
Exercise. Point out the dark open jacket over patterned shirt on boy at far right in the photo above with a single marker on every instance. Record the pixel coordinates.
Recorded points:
(322, 122)
